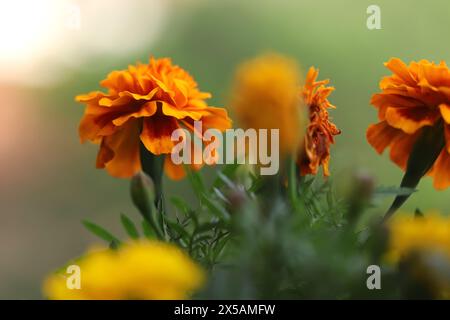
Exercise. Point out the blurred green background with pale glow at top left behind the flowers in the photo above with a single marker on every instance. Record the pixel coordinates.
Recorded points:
(48, 179)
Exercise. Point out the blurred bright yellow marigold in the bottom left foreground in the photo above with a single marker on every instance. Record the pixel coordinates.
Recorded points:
(138, 270)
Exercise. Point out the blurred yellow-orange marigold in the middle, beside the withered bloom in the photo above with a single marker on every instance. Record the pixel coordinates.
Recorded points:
(266, 97)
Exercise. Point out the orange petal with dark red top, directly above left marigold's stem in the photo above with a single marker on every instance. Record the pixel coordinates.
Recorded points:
(156, 134)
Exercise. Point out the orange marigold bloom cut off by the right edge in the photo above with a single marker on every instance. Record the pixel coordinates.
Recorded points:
(414, 97)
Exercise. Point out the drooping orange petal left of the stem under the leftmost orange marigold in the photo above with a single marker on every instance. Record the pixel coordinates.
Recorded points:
(125, 146)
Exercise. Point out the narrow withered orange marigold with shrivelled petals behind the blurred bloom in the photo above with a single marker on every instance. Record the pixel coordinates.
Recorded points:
(320, 131)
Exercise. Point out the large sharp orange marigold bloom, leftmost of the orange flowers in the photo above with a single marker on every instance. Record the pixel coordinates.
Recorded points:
(144, 103)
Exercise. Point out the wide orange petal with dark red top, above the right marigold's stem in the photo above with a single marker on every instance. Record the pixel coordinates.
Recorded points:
(410, 119)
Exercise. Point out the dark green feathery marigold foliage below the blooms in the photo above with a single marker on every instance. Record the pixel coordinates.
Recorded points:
(274, 237)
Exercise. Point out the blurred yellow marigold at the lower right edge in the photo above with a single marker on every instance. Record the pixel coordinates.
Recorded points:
(427, 236)
